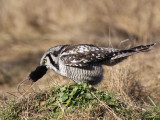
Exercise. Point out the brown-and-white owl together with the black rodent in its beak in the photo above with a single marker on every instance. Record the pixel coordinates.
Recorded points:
(82, 62)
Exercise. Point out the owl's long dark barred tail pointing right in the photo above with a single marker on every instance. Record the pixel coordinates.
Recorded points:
(120, 55)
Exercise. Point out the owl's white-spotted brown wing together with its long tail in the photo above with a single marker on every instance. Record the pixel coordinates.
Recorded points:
(82, 55)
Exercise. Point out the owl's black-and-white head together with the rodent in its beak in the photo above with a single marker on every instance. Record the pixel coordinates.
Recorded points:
(48, 61)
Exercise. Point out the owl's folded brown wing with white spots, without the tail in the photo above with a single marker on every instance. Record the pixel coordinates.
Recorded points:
(82, 55)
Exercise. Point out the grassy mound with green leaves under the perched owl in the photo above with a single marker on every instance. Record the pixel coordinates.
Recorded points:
(79, 101)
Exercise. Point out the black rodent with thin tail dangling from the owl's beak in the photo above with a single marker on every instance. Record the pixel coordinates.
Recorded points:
(35, 75)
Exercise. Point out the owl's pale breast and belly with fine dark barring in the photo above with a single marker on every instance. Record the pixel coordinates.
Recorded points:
(92, 73)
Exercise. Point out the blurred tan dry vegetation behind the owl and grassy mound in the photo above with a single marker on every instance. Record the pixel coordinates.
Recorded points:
(30, 27)
